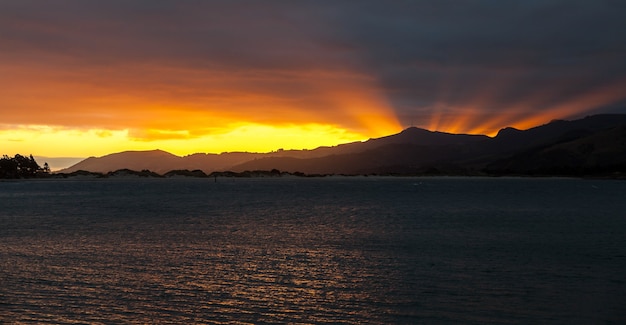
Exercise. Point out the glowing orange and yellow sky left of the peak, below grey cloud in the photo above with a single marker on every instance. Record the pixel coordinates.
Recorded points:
(99, 110)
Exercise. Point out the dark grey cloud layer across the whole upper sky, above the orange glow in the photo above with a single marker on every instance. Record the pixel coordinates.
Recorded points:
(422, 54)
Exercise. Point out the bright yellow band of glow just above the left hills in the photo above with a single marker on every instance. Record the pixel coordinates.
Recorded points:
(62, 142)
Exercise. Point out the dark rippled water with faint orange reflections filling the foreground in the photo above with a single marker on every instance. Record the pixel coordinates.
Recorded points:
(358, 250)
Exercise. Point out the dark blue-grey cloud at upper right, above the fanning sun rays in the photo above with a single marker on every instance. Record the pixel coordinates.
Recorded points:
(465, 48)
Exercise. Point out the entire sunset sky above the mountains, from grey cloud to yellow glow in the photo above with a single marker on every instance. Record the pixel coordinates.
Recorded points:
(88, 78)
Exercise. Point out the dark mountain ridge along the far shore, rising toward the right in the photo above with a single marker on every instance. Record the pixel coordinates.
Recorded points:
(593, 145)
